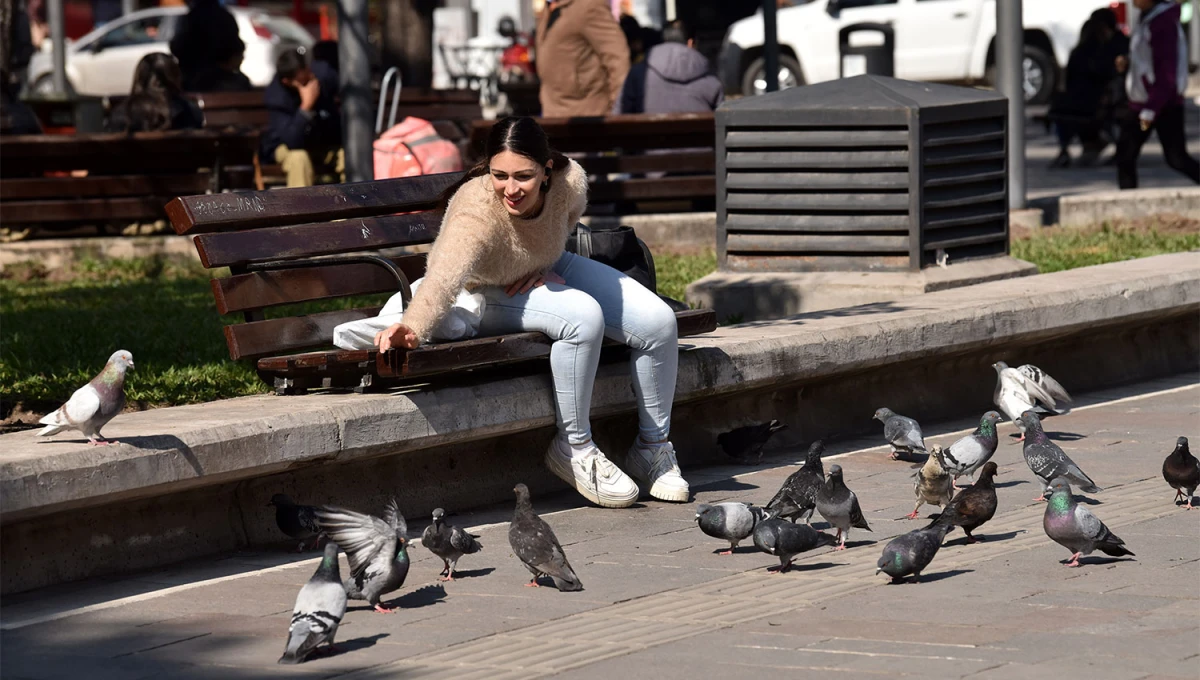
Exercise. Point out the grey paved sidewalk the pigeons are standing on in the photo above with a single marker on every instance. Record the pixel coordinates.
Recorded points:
(659, 604)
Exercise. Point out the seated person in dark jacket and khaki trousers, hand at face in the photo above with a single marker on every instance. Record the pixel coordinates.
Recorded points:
(304, 129)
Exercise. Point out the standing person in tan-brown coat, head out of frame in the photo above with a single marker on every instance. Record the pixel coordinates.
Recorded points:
(583, 58)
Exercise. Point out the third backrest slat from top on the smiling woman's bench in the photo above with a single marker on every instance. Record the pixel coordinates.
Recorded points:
(261, 290)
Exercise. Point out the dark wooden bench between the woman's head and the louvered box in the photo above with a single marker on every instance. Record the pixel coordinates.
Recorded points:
(637, 149)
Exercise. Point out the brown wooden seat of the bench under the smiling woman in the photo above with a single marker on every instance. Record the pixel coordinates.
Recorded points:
(443, 358)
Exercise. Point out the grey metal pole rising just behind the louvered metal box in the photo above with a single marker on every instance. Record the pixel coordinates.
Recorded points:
(1011, 80)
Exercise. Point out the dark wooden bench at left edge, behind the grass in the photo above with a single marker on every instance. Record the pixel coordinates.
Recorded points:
(52, 182)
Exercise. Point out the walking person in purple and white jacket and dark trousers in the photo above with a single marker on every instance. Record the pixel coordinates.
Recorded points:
(1157, 79)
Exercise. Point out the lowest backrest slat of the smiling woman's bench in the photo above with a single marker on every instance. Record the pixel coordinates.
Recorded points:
(254, 340)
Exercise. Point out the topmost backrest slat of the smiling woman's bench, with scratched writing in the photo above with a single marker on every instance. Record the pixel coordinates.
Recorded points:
(279, 208)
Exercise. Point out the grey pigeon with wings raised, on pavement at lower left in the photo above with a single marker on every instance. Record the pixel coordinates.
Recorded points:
(376, 549)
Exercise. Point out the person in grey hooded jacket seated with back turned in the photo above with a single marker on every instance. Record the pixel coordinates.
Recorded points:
(674, 79)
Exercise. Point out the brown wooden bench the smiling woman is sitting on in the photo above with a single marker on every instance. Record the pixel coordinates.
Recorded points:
(337, 242)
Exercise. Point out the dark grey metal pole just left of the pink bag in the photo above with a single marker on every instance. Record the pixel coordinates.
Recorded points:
(355, 75)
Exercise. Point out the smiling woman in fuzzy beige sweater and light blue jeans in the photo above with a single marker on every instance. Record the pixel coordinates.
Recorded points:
(503, 236)
